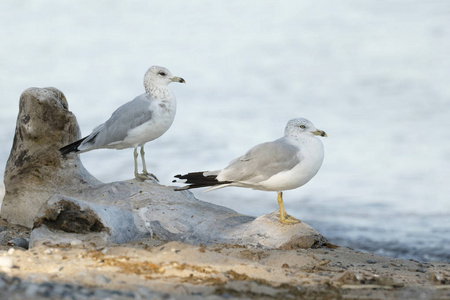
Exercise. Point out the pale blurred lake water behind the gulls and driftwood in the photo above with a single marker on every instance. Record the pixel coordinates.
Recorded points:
(374, 75)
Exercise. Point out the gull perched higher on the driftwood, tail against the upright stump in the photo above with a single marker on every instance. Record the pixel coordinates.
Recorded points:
(136, 122)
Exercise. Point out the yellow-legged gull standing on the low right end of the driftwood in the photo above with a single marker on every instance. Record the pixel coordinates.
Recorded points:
(284, 164)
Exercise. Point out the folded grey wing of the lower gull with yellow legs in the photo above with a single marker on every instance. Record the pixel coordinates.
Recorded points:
(261, 162)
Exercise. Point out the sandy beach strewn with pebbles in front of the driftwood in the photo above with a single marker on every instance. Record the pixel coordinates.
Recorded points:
(160, 270)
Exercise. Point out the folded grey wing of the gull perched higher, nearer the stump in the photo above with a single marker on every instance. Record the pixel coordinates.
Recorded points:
(126, 117)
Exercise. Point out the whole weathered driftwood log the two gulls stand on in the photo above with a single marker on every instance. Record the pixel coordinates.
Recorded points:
(66, 206)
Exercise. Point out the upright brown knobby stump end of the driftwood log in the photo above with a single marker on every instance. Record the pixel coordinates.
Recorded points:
(35, 170)
